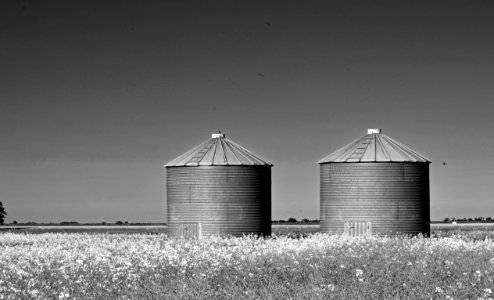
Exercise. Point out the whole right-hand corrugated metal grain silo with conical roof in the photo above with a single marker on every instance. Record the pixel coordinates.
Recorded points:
(375, 185)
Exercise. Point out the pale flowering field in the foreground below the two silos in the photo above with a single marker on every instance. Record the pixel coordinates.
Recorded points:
(320, 266)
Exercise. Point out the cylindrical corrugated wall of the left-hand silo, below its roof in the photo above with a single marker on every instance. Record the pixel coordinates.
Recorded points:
(232, 200)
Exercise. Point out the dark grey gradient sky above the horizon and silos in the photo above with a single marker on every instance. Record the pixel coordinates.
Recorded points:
(96, 96)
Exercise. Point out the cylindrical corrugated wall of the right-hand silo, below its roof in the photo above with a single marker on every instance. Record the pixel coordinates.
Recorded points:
(393, 196)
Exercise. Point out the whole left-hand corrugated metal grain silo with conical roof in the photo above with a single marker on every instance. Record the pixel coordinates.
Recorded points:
(219, 187)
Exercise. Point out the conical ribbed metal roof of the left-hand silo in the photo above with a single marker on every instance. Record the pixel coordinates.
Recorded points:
(218, 150)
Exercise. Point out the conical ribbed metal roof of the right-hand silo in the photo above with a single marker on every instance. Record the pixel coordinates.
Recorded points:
(374, 147)
